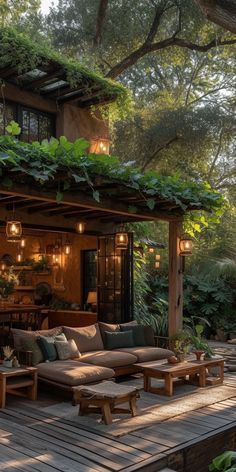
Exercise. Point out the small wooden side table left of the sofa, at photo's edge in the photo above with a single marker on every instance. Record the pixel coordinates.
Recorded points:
(15, 379)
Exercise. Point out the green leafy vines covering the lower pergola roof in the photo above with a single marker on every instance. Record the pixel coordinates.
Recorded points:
(59, 165)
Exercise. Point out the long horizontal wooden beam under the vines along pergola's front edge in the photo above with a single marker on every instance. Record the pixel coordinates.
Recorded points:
(79, 199)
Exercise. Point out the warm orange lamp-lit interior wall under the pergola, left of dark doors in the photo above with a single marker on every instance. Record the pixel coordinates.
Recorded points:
(65, 282)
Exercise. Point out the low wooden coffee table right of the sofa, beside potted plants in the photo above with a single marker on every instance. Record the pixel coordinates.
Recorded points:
(168, 372)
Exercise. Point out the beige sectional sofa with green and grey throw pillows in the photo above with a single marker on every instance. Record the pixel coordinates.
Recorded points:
(67, 357)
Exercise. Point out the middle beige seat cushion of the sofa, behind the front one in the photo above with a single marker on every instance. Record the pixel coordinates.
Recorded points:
(109, 358)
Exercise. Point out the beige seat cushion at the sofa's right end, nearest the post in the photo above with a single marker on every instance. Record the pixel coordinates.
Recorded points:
(148, 353)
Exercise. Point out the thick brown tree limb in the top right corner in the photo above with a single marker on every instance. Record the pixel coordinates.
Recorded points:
(221, 12)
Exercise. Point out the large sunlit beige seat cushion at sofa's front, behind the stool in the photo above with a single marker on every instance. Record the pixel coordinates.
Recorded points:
(73, 373)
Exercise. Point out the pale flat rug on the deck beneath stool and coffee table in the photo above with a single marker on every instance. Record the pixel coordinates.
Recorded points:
(152, 408)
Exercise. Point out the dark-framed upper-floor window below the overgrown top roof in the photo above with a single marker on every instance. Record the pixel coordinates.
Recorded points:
(35, 125)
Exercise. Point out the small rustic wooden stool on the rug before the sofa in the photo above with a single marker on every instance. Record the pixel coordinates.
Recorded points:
(104, 398)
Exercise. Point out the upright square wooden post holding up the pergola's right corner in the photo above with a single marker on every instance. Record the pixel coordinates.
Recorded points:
(175, 278)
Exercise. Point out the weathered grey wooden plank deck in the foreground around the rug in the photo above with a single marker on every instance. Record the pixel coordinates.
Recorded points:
(33, 439)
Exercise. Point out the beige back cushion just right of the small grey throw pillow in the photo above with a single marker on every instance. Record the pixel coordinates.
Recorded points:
(87, 338)
